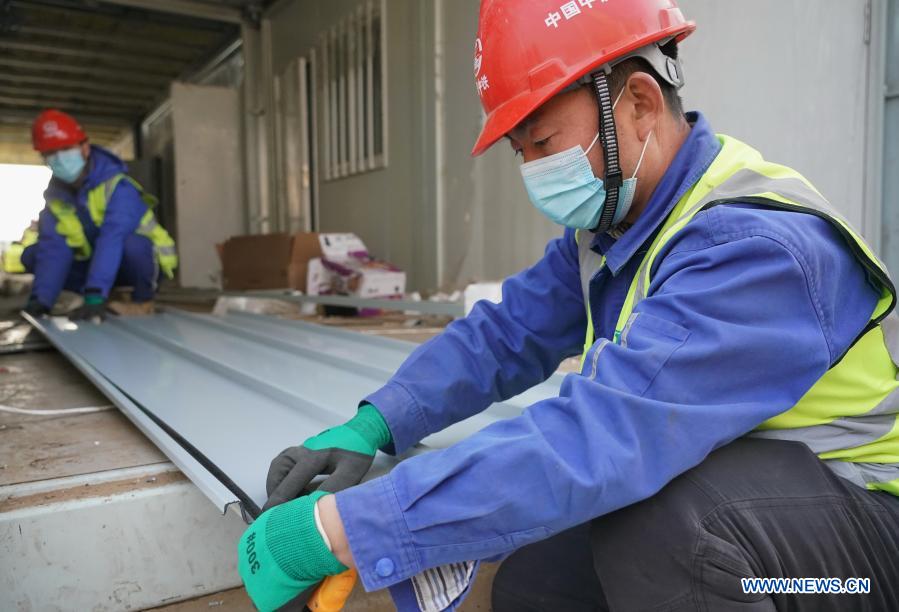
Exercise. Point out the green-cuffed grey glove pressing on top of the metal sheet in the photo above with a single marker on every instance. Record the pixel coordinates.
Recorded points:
(345, 453)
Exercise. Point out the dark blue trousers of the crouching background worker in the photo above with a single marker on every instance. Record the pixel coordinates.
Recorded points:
(137, 270)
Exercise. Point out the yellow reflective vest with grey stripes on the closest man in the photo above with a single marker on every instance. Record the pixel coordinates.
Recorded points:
(850, 416)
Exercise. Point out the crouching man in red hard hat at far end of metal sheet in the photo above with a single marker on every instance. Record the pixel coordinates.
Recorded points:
(97, 229)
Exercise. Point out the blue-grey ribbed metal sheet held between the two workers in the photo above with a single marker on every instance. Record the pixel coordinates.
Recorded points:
(221, 396)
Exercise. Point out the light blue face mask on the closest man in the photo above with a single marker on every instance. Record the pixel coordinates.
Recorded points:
(564, 188)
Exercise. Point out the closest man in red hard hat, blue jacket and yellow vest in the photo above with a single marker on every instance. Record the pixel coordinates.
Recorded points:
(736, 412)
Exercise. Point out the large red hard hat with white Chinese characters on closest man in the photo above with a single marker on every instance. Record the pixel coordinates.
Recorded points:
(527, 51)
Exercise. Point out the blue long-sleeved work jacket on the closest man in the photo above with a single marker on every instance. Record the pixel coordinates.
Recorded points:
(764, 303)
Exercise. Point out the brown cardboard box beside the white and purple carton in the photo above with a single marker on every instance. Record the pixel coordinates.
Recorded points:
(269, 261)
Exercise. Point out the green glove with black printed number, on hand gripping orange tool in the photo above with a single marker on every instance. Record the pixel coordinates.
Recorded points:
(282, 556)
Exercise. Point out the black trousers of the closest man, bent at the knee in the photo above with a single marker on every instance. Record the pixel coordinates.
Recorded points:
(755, 508)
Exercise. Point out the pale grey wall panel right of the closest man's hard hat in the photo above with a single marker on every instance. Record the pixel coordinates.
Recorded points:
(790, 78)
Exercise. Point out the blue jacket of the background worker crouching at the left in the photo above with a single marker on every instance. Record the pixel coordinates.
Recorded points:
(124, 212)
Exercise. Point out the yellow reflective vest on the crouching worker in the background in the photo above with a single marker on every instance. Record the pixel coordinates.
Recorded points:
(69, 225)
